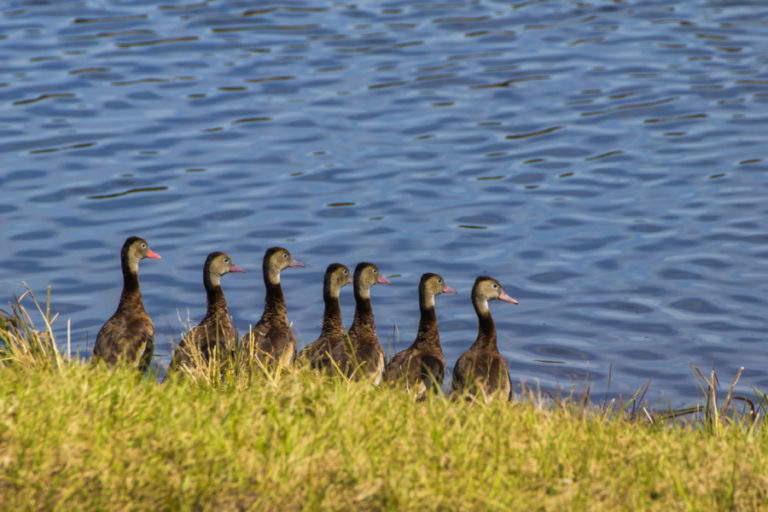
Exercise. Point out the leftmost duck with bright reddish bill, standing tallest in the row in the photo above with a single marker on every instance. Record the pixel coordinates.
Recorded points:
(129, 335)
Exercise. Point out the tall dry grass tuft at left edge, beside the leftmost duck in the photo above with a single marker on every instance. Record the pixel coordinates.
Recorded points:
(21, 343)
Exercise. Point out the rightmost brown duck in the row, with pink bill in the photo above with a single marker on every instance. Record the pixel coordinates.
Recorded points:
(482, 370)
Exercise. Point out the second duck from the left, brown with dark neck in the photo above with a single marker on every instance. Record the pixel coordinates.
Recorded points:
(215, 331)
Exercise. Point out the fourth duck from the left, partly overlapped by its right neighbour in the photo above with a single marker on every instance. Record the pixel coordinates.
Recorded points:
(318, 352)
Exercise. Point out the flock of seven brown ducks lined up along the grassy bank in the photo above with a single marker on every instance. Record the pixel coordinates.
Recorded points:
(128, 336)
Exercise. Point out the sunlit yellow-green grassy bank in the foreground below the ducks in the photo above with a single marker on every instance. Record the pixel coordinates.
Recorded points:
(75, 436)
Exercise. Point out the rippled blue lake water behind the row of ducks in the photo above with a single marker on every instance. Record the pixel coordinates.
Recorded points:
(606, 161)
